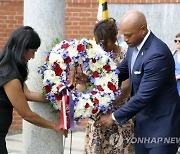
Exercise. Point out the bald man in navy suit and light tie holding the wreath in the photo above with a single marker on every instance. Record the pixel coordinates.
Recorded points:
(155, 103)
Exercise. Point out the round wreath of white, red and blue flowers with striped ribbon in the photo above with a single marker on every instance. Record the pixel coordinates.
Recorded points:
(94, 62)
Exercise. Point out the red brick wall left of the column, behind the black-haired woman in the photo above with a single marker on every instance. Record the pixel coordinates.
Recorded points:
(11, 17)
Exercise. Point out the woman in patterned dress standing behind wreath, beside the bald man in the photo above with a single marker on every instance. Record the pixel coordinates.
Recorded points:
(115, 139)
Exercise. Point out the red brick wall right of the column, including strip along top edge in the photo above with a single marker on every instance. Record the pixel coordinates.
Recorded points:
(80, 15)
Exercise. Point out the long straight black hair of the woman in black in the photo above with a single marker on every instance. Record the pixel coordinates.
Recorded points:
(12, 56)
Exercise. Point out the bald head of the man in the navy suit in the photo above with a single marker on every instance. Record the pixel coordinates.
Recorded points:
(134, 27)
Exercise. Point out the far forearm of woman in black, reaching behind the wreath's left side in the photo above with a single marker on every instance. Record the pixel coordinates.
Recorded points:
(33, 96)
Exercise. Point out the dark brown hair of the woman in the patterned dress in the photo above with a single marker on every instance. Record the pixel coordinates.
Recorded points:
(104, 30)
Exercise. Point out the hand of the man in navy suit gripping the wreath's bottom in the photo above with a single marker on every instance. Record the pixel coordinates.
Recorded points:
(104, 121)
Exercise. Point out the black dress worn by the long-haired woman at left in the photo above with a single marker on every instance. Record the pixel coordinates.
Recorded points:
(6, 110)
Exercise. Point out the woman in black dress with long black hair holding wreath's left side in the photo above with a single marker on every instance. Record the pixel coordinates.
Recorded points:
(21, 47)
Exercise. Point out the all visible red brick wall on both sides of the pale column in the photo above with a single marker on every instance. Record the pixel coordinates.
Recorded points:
(80, 17)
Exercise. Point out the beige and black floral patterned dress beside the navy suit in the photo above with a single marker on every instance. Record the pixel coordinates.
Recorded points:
(113, 140)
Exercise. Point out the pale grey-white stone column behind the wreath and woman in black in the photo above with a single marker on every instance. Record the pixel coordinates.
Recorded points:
(47, 18)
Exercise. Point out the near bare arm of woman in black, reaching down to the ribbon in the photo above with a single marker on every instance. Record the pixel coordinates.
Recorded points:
(18, 99)
